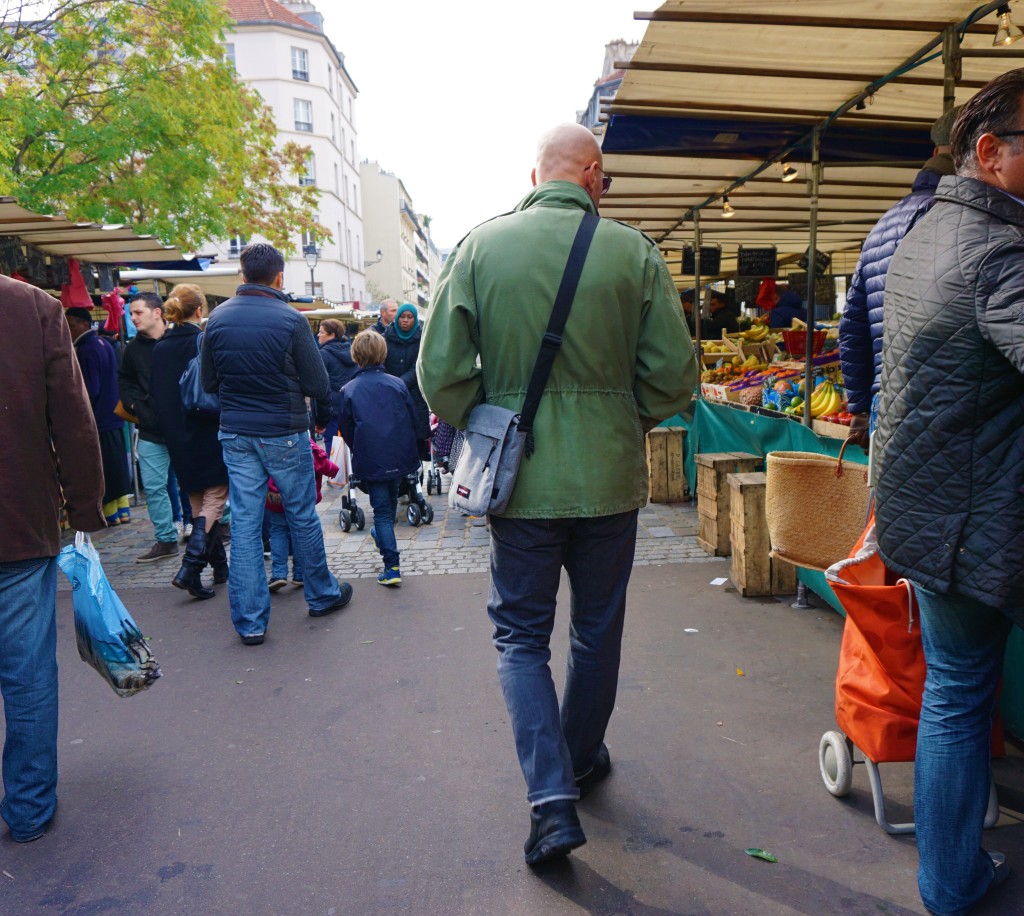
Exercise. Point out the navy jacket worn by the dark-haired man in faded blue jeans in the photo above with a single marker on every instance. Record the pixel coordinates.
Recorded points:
(261, 357)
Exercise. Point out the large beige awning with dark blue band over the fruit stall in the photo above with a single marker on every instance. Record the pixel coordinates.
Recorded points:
(718, 96)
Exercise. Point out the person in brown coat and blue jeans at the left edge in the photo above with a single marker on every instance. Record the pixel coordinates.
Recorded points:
(50, 453)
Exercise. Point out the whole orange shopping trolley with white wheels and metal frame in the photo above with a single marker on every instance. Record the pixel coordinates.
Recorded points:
(880, 680)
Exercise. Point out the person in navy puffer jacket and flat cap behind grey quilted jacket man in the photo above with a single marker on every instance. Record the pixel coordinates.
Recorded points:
(861, 327)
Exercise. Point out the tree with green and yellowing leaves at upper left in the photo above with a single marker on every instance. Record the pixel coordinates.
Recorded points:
(127, 112)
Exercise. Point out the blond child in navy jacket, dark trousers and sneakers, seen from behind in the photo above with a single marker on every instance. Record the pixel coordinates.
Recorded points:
(378, 421)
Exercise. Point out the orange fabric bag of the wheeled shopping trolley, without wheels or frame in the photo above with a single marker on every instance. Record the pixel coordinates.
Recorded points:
(881, 676)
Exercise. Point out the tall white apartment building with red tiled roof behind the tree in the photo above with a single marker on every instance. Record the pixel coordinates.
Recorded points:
(280, 50)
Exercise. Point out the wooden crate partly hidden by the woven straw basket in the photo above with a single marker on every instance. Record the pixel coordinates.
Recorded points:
(754, 572)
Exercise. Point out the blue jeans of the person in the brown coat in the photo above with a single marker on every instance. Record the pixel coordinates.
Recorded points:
(29, 684)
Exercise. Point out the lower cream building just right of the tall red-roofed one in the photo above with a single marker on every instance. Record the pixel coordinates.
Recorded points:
(398, 235)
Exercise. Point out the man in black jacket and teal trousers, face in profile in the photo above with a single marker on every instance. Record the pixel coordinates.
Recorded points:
(134, 384)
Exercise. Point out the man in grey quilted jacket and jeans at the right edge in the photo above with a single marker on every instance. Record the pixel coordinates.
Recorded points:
(951, 463)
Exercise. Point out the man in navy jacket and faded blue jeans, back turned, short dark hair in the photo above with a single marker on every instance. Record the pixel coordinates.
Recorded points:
(261, 357)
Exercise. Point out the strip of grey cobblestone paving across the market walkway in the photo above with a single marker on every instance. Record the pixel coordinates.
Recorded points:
(451, 545)
